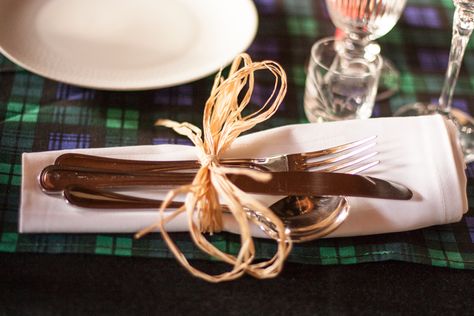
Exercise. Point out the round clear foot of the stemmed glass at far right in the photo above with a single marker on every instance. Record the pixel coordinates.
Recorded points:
(463, 121)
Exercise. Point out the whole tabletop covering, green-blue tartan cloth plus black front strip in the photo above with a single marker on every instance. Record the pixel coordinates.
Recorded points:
(428, 270)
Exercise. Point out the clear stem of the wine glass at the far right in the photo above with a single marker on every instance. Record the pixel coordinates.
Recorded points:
(462, 28)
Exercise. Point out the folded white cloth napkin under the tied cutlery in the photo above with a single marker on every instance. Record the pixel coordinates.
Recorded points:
(419, 152)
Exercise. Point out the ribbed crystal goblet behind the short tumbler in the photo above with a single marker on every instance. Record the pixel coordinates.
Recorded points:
(363, 21)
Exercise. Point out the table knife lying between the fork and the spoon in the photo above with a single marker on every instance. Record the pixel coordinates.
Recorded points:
(55, 179)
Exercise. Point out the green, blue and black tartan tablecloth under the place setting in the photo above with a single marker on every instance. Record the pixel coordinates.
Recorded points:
(37, 114)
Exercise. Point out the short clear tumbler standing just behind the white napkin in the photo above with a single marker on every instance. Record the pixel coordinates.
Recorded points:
(339, 92)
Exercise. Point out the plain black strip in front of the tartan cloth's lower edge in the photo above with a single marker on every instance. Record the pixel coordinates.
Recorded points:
(105, 285)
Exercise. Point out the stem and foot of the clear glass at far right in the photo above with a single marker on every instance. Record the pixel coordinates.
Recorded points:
(462, 30)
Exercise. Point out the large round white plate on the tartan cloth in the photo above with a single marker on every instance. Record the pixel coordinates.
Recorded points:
(125, 44)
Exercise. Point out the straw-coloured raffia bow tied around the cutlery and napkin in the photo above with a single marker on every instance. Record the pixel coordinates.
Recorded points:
(223, 121)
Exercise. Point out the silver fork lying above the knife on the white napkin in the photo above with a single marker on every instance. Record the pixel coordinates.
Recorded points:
(336, 158)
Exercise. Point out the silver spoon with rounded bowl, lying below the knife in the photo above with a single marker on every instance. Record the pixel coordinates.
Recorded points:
(305, 217)
